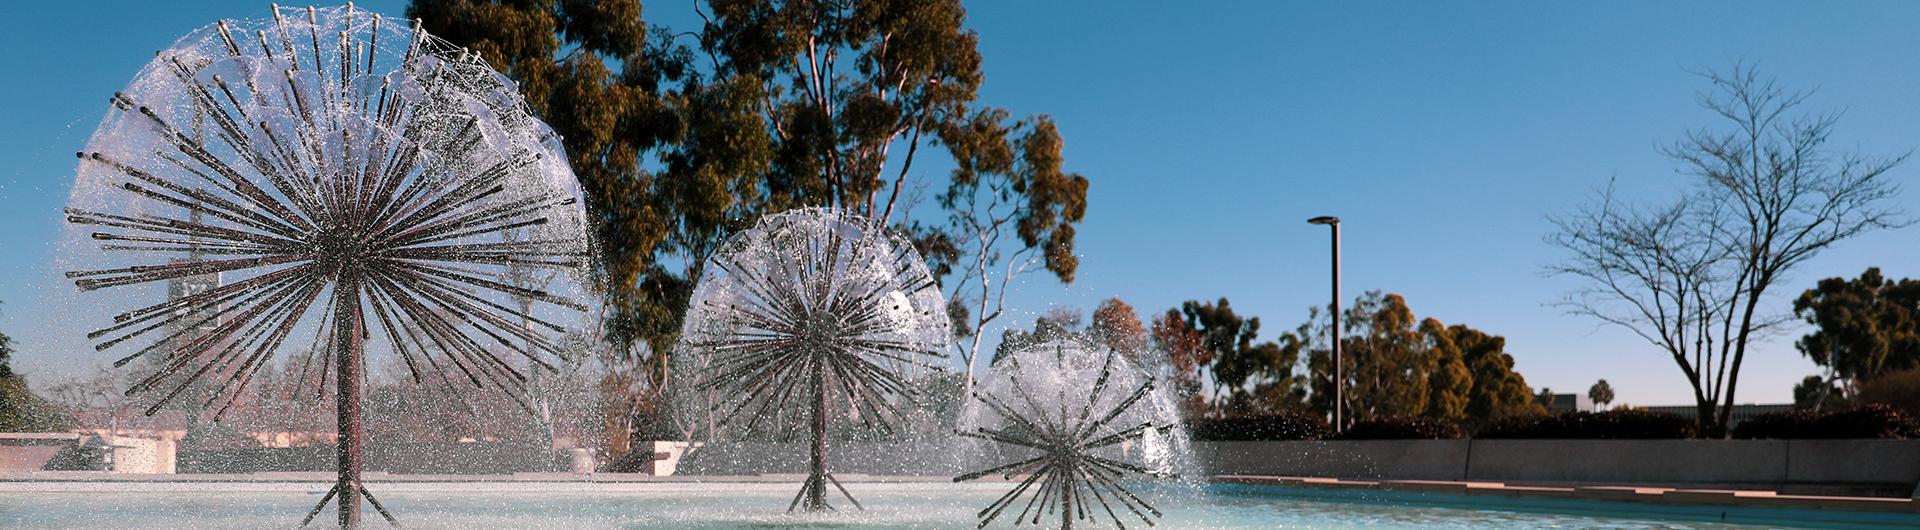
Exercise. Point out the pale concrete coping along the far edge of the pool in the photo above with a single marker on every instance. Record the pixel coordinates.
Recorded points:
(82, 481)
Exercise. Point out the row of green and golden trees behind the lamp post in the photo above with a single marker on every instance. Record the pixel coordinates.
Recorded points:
(1395, 368)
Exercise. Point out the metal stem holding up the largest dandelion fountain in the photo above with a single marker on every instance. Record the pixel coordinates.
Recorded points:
(348, 331)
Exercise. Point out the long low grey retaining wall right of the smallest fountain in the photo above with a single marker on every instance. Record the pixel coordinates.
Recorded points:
(1879, 468)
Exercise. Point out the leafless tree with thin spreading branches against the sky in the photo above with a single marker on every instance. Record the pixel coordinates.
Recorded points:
(1692, 276)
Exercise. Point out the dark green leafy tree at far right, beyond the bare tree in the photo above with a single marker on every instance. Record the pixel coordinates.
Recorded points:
(1863, 327)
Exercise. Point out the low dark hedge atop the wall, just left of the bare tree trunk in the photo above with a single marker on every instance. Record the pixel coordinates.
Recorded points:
(1610, 425)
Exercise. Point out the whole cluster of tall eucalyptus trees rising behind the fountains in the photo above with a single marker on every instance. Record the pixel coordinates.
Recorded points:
(773, 107)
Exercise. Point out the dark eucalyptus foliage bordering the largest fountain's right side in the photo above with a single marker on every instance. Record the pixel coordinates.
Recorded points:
(608, 99)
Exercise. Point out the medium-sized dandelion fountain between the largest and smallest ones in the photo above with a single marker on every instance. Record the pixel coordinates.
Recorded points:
(807, 318)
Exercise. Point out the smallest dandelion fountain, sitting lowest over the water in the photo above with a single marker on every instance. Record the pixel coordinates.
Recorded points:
(1072, 423)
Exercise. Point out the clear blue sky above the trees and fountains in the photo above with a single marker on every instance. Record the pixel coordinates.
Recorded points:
(1443, 135)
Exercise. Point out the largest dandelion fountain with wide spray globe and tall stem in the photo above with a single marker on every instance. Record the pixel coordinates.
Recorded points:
(335, 181)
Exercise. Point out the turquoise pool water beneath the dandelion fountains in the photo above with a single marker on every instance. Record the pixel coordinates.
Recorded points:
(761, 506)
